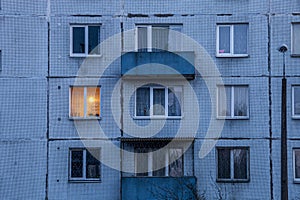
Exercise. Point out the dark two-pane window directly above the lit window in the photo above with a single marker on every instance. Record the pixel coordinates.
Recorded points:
(84, 40)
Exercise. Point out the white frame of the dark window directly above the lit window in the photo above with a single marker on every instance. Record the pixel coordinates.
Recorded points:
(86, 39)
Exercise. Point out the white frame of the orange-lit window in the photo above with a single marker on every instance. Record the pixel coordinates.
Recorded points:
(85, 103)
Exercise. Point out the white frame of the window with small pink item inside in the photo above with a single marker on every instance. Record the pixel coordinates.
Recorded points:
(231, 54)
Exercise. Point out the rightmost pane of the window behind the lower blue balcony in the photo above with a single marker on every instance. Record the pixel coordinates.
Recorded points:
(176, 162)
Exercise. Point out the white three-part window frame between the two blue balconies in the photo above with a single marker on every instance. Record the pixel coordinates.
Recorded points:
(166, 115)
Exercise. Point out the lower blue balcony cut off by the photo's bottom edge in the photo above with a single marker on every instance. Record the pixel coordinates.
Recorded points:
(151, 188)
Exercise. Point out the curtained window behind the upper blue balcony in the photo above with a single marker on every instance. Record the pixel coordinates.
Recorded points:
(157, 37)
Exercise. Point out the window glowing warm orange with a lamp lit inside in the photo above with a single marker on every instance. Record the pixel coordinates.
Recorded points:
(84, 102)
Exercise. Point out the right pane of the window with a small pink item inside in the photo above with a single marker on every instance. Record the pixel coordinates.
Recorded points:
(240, 38)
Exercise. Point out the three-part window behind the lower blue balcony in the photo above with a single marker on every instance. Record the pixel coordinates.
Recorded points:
(169, 163)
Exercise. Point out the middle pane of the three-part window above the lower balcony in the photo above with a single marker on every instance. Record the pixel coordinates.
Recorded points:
(159, 163)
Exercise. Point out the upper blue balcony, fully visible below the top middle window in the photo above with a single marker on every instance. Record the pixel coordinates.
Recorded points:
(158, 64)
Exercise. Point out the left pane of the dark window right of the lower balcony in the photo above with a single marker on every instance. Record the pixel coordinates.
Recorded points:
(223, 163)
